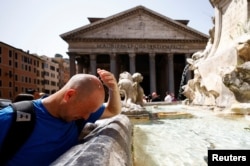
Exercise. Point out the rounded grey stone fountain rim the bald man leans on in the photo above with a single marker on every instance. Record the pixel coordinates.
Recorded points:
(108, 144)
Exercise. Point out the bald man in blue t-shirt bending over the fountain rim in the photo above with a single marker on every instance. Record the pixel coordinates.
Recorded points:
(55, 129)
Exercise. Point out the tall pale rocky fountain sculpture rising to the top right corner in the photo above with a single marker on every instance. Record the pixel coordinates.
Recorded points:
(222, 70)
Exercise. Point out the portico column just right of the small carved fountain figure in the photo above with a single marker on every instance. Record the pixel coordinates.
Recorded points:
(152, 72)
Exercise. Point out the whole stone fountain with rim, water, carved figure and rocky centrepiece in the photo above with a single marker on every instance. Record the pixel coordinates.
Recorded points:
(214, 116)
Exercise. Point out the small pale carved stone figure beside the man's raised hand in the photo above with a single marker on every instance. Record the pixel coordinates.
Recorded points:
(130, 88)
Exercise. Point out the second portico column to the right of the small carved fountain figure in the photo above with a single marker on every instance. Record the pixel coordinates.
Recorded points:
(171, 73)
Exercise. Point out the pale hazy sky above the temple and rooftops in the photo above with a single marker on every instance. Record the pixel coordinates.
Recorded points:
(36, 25)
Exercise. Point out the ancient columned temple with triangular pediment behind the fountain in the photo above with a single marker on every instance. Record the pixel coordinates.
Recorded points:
(136, 40)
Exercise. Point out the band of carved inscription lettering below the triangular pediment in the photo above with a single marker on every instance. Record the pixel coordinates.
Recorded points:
(140, 46)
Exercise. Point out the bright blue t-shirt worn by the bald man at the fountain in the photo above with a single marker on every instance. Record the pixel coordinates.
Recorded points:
(50, 139)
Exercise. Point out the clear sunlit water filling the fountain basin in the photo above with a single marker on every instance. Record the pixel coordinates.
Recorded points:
(185, 141)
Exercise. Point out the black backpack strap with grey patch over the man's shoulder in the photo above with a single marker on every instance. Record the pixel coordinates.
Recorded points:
(23, 123)
